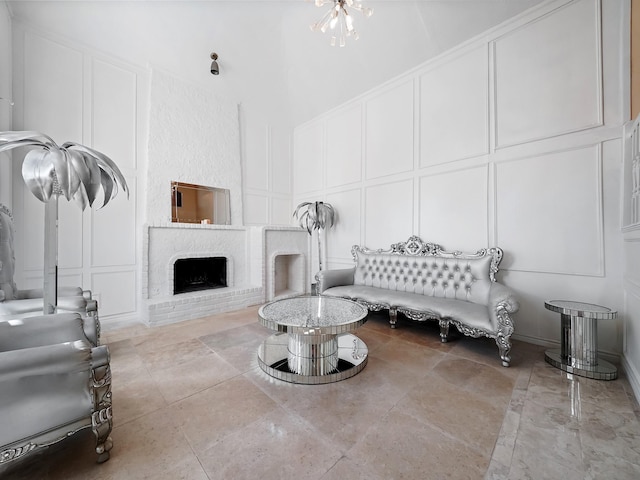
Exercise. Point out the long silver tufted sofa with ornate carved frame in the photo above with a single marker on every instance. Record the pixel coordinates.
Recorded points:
(424, 282)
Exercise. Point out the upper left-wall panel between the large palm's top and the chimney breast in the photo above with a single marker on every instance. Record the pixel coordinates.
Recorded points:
(114, 113)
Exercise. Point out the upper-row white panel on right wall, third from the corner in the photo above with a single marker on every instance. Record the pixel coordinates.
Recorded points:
(389, 131)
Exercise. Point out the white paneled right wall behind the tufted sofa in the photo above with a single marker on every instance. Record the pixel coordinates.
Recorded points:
(511, 139)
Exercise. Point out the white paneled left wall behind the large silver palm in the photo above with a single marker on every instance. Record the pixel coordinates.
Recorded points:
(97, 102)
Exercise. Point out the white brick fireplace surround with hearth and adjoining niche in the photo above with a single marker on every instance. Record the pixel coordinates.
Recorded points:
(250, 254)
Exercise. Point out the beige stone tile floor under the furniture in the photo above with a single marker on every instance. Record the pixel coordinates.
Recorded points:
(190, 402)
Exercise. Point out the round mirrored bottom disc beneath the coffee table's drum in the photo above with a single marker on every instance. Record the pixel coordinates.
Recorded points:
(274, 359)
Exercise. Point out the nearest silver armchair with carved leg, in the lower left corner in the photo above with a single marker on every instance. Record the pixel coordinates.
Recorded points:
(53, 383)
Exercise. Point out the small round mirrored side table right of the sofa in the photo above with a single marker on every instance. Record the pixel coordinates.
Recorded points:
(579, 340)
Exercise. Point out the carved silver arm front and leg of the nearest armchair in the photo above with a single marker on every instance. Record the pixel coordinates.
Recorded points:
(102, 418)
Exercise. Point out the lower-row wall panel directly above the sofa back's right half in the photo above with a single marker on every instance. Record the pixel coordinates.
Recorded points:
(453, 209)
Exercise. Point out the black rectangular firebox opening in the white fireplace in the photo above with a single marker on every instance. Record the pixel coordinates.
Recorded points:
(193, 274)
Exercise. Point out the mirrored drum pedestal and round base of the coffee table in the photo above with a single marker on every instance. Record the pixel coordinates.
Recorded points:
(304, 365)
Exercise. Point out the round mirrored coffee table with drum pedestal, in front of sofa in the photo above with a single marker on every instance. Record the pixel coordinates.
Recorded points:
(313, 344)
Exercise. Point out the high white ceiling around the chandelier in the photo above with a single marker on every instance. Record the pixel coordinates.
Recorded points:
(269, 58)
